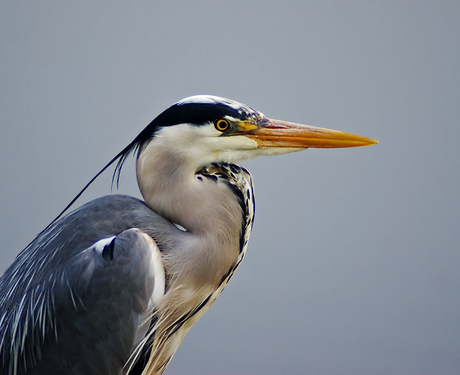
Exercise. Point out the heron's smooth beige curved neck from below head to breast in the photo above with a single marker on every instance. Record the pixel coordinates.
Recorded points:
(206, 208)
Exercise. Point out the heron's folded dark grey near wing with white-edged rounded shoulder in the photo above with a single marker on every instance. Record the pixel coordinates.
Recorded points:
(99, 298)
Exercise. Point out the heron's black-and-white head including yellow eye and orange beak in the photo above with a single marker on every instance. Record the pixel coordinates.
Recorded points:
(203, 129)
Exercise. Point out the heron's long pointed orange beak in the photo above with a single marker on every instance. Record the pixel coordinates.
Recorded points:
(277, 133)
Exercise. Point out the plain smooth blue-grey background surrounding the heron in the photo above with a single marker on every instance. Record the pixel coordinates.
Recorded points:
(353, 266)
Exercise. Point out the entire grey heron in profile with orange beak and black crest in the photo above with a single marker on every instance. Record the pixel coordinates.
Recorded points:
(114, 286)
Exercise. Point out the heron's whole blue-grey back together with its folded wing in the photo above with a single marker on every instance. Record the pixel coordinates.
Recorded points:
(74, 300)
